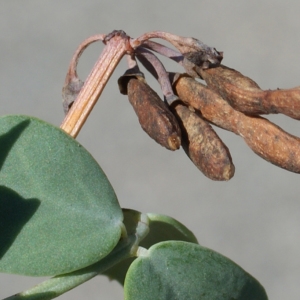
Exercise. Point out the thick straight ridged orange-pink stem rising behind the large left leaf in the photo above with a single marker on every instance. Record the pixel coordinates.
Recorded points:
(94, 85)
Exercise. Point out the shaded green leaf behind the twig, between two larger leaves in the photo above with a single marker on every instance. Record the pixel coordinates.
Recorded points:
(161, 228)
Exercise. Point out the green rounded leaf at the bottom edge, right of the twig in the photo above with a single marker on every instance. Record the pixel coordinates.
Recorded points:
(181, 270)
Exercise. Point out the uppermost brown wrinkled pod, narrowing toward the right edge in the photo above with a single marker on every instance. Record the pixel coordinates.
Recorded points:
(246, 96)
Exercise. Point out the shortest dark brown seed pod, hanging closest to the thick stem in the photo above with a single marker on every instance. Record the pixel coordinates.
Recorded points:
(154, 116)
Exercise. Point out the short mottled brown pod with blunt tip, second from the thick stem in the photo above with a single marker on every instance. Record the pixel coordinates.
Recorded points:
(202, 145)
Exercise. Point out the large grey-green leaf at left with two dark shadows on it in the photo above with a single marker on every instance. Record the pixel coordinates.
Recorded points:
(58, 211)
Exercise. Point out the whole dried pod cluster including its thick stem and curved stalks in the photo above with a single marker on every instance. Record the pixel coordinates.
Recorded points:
(229, 100)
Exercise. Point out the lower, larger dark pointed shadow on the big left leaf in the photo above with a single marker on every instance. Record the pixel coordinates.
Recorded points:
(15, 212)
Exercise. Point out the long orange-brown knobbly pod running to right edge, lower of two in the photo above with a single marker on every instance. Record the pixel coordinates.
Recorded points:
(263, 137)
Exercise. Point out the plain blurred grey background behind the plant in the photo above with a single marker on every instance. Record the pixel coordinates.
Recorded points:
(254, 218)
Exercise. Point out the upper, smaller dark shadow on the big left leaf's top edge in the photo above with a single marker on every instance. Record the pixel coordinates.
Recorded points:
(8, 139)
